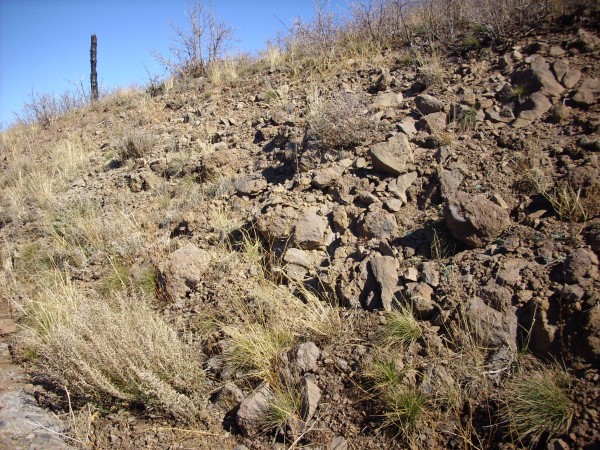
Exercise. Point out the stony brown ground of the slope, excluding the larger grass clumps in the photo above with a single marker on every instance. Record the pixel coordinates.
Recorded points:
(468, 191)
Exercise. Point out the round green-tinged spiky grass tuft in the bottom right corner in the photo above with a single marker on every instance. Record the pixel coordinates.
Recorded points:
(537, 405)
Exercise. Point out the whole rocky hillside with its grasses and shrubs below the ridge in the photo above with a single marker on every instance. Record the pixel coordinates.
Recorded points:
(400, 251)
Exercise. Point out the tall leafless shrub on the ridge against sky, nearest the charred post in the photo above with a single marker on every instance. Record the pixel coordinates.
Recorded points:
(202, 43)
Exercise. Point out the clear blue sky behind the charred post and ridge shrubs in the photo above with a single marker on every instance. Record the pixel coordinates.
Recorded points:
(44, 44)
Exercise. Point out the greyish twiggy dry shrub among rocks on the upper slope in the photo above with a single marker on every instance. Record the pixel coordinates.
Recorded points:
(340, 122)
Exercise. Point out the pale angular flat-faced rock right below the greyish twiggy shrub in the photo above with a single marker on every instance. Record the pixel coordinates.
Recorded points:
(394, 156)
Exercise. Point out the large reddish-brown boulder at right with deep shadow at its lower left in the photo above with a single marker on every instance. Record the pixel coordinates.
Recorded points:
(473, 219)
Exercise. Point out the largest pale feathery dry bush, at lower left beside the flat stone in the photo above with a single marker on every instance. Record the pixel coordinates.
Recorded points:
(113, 349)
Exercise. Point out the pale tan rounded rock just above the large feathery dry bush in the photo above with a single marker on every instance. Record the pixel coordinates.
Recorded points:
(183, 270)
